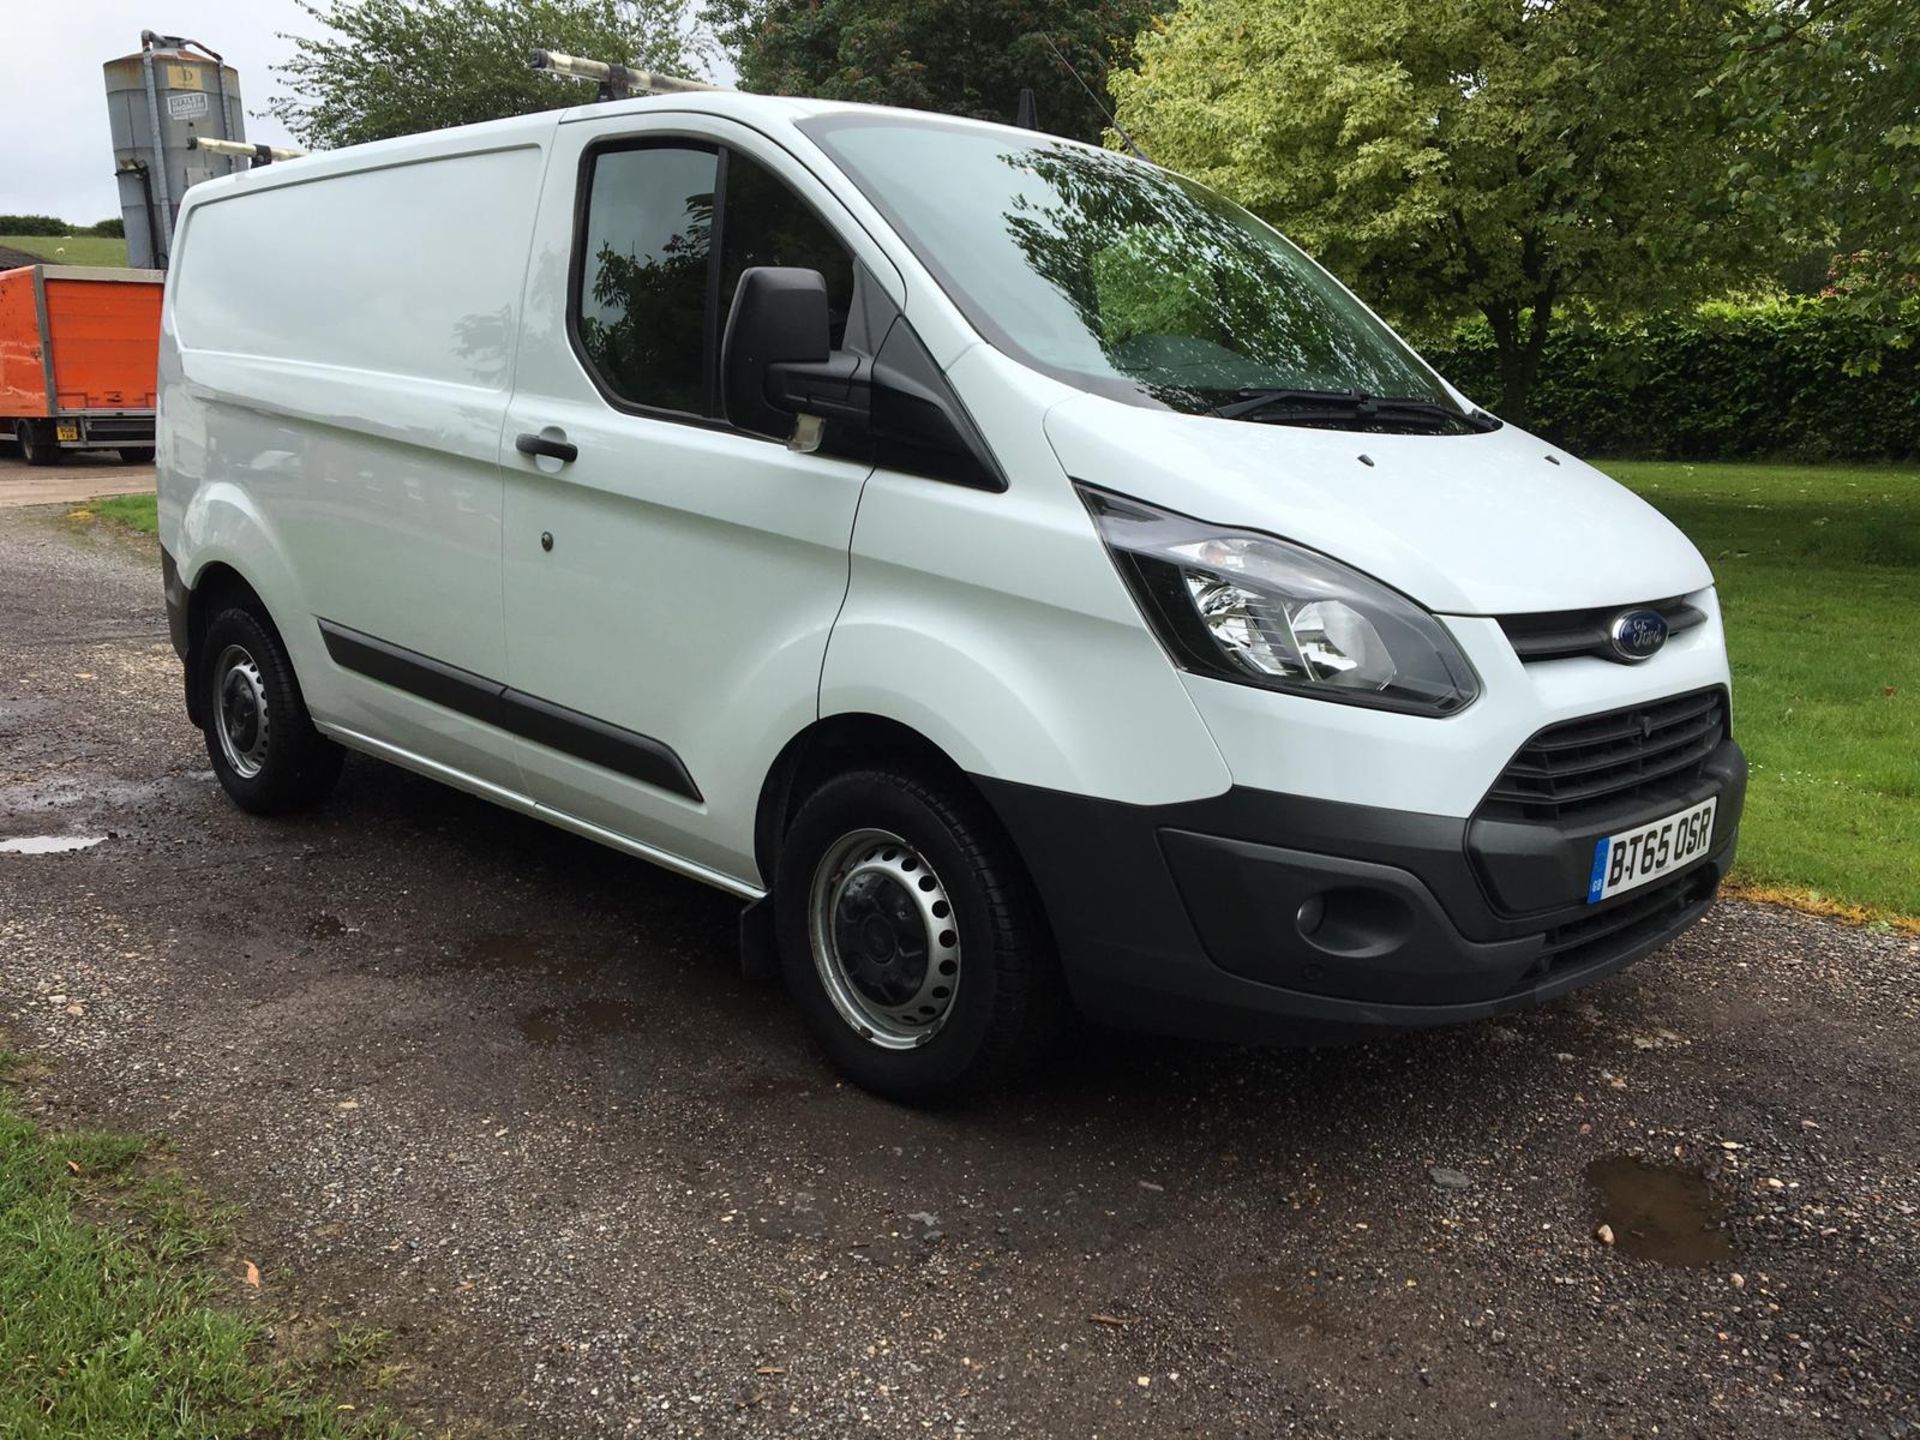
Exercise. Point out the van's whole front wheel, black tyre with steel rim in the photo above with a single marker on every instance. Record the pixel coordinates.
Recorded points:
(911, 938)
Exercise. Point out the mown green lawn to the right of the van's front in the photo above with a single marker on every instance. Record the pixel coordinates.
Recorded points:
(1819, 573)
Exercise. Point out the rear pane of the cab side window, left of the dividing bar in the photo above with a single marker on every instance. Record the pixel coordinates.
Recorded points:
(644, 279)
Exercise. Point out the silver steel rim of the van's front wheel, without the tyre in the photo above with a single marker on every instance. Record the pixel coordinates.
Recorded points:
(886, 940)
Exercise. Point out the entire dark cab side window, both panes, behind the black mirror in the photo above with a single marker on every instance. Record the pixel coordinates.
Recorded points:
(654, 281)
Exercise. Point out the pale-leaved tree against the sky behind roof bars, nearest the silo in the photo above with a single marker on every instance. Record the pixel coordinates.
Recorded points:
(406, 66)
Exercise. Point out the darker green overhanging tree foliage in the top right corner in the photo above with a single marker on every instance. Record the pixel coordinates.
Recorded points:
(1829, 97)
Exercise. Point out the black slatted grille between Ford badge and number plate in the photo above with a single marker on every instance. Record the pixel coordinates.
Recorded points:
(1604, 759)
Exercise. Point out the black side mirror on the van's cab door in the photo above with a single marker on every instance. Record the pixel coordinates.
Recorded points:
(779, 362)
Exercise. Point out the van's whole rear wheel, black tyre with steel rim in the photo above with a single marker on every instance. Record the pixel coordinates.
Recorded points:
(260, 736)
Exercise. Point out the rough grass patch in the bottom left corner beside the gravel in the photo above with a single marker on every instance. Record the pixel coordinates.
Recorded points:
(116, 1320)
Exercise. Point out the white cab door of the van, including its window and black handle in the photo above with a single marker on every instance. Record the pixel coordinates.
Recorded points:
(669, 581)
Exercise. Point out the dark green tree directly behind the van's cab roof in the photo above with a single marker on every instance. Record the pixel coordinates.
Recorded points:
(955, 57)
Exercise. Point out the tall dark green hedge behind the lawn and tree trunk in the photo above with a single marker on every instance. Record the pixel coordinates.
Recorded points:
(1721, 383)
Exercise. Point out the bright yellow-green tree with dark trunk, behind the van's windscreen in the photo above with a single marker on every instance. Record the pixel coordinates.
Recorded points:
(1447, 156)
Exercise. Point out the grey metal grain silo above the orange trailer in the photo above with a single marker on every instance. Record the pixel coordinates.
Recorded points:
(158, 101)
